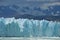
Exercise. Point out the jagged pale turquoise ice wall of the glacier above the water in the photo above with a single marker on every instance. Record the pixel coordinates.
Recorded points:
(28, 28)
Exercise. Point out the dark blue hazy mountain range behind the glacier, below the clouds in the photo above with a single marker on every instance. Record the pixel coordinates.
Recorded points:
(52, 13)
